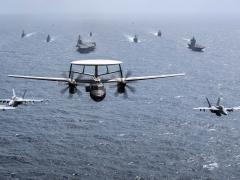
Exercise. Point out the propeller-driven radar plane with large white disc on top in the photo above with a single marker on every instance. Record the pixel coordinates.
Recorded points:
(95, 84)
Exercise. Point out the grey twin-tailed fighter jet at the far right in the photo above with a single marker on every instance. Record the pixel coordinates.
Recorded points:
(218, 109)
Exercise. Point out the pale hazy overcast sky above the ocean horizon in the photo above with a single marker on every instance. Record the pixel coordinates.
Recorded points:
(130, 7)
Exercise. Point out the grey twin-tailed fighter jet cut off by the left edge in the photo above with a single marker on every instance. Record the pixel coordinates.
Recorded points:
(15, 101)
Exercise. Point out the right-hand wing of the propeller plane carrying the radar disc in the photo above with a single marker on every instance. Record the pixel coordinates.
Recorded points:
(145, 77)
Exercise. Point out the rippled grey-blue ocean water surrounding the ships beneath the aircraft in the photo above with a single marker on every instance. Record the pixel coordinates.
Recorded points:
(154, 134)
